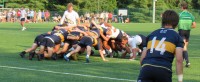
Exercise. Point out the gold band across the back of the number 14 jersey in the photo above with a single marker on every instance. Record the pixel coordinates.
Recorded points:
(170, 47)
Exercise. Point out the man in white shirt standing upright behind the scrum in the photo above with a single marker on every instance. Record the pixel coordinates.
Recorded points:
(70, 16)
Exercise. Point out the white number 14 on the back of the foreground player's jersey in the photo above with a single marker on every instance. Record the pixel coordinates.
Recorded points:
(160, 47)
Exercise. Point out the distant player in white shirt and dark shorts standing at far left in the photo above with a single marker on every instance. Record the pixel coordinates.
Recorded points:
(23, 18)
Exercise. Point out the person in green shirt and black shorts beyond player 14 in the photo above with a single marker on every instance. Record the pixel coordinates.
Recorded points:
(184, 27)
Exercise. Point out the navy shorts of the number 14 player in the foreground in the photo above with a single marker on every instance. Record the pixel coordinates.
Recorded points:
(154, 74)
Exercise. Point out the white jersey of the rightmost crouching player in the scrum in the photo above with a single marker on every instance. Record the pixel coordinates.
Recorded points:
(133, 42)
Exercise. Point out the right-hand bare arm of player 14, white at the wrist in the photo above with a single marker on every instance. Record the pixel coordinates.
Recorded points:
(179, 63)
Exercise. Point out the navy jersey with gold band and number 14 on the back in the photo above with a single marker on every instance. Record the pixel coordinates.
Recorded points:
(161, 46)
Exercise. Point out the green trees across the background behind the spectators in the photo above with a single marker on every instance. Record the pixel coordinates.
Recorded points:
(138, 10)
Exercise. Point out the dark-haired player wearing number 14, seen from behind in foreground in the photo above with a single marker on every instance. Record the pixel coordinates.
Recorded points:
(162, 46)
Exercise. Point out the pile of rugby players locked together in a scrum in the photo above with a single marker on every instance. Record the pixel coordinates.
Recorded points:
(66, 41)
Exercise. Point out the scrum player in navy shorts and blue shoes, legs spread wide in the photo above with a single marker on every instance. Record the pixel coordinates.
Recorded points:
(91, 39)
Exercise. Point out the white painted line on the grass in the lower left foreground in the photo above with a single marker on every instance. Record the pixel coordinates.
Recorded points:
(84, 75)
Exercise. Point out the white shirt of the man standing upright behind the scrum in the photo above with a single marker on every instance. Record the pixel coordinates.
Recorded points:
(70, 17)
